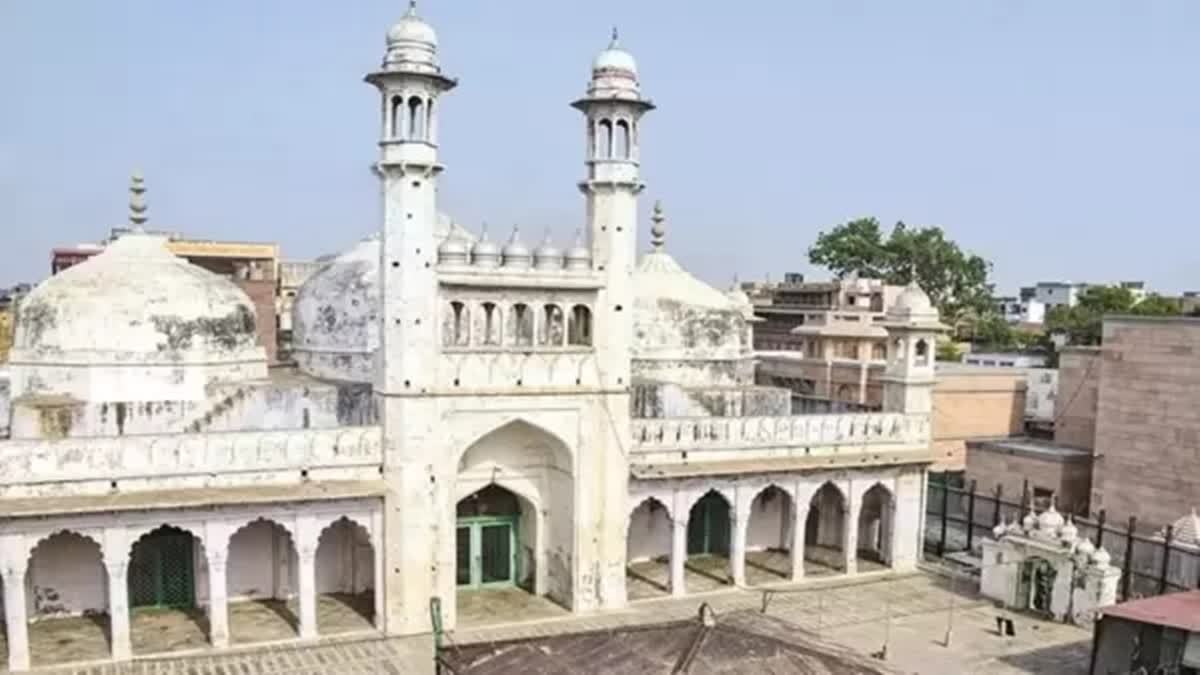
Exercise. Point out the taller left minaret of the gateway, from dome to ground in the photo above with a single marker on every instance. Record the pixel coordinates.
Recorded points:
(410, 83)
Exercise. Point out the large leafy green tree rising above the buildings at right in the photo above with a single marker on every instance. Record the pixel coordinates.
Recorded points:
(956, 282)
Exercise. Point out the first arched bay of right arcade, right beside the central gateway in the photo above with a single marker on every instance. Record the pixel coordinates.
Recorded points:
(649, 551)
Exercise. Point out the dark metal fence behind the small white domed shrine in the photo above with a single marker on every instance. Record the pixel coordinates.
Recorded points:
(958, 519)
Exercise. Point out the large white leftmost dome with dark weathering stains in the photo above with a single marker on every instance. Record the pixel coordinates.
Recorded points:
(136, 303)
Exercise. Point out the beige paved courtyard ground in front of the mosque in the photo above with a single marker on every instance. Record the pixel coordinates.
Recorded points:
(911, 614)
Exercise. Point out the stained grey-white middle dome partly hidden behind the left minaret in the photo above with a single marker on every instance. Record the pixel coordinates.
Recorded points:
(335, 324)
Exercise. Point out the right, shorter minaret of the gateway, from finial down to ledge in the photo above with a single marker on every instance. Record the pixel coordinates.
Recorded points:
(614, 107)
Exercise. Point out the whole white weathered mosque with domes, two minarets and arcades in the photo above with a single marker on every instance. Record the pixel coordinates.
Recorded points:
(580, 425)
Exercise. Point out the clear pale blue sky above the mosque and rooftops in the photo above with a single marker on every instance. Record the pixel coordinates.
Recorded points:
(1059, 140)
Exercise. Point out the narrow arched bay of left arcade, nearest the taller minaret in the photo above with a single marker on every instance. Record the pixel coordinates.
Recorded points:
(345, 578)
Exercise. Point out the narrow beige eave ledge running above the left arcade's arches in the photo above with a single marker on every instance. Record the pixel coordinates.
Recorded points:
(189, 498)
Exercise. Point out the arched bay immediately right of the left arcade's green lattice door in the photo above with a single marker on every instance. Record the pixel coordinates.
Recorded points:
(262, 584)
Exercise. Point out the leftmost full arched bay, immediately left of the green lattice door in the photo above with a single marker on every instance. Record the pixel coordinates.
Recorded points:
(67, 589)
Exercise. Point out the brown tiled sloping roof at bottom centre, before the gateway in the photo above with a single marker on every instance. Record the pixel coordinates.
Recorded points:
(741, 643)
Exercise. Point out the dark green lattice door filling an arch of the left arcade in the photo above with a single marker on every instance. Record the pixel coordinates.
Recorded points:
(163, 570)
